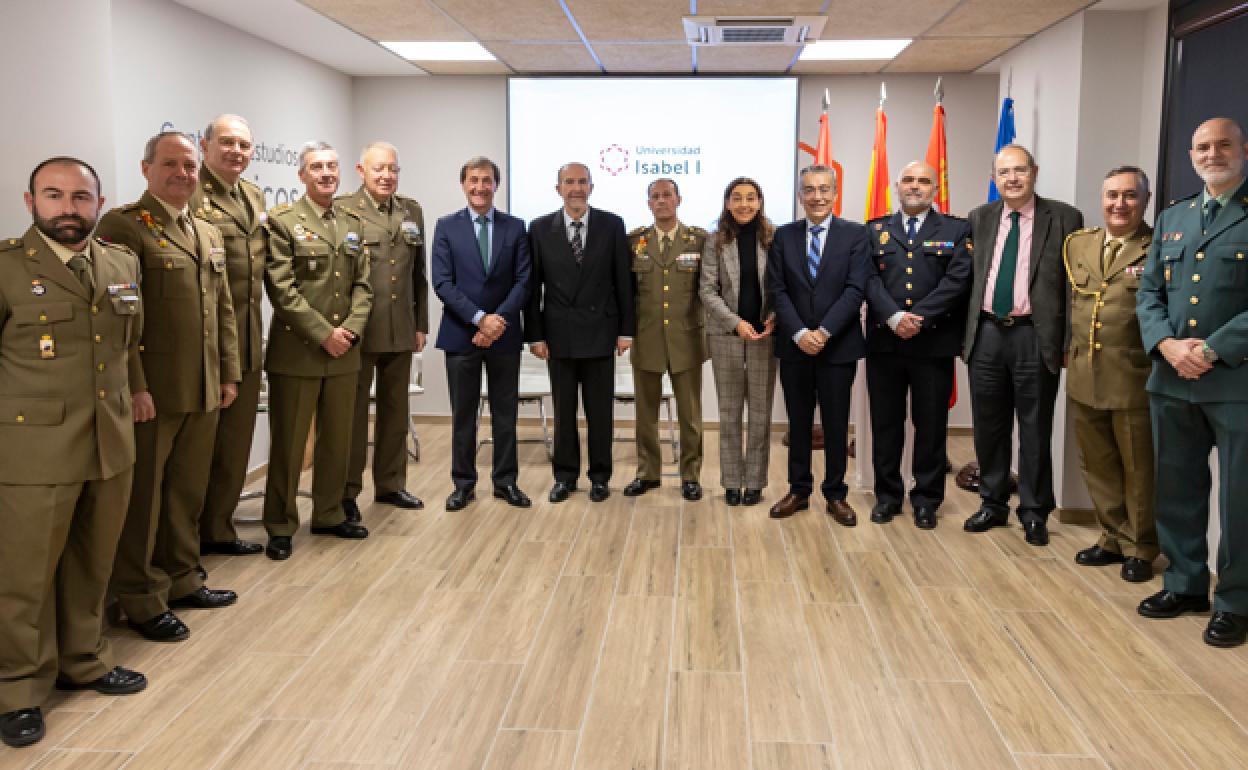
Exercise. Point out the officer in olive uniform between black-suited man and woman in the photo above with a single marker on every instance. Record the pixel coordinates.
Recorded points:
(671, 338)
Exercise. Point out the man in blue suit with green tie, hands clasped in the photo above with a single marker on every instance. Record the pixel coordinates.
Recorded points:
(481, 273)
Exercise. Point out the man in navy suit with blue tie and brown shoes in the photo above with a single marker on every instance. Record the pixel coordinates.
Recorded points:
(818, 269)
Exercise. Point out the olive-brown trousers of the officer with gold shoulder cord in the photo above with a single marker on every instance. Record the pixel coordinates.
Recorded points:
(1116, 452)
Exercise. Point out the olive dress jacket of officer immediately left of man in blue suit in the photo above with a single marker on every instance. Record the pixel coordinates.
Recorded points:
(395, 248)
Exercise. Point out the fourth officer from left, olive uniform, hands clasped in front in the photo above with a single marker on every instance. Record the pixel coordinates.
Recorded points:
(318, 280)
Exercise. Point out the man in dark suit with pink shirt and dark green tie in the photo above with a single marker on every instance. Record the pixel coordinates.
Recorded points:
(1015, 341)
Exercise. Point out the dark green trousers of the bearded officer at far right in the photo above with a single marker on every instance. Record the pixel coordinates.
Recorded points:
(1185, 434)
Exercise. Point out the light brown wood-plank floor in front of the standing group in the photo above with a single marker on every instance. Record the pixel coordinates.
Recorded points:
(655, 633)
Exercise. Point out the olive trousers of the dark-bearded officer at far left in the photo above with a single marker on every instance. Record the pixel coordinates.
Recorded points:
(56, 558)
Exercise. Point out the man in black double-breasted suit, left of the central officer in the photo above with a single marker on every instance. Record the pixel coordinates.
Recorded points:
(581, 313)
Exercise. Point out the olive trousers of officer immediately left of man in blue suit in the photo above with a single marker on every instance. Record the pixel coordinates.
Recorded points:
(394, 374)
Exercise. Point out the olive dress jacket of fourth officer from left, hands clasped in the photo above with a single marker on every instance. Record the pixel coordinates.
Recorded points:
(316, 284)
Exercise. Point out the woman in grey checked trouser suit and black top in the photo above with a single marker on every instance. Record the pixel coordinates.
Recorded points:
(739, 325)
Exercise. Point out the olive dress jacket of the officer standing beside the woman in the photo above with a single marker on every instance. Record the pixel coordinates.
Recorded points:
(671, 321)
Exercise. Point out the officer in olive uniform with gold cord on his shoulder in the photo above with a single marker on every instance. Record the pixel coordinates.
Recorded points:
(1106, 373)
